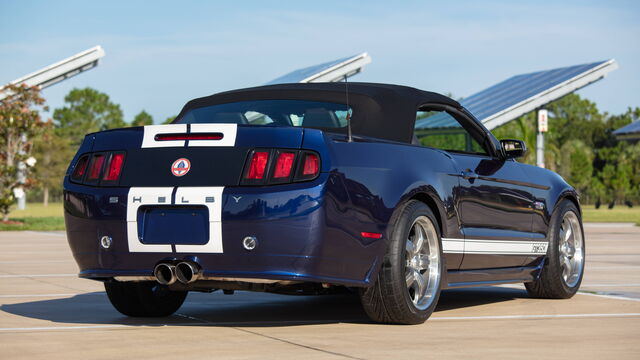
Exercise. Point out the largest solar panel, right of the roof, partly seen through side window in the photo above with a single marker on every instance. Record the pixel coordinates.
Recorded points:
(520, 94)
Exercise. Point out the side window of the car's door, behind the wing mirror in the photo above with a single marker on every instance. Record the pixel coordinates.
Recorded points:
(440, 130)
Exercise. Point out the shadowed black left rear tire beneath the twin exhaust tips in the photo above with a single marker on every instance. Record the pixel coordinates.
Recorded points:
(144, 299)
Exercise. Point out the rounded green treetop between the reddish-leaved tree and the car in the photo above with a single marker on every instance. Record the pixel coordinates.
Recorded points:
(86, 110)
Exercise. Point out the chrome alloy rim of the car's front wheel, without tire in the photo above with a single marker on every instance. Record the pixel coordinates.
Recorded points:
(571, 249)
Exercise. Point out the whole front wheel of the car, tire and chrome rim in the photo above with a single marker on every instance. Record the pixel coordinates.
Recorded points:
(563, 269)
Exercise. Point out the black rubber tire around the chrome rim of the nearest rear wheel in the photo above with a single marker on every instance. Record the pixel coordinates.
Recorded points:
(389, 300)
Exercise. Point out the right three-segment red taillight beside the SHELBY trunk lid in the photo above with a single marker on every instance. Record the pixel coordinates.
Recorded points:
(274, 166)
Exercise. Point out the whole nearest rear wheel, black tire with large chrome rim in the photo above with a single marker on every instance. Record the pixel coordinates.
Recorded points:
(407, 288)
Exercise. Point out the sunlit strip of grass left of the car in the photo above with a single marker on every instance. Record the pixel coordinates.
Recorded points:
(36, 217)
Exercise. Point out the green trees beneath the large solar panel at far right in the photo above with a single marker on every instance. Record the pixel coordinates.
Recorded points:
(581, 147)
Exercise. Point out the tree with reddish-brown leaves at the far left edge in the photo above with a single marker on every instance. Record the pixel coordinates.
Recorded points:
(19, 123)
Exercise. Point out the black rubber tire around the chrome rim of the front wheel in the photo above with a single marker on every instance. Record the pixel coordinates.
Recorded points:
(551, 283)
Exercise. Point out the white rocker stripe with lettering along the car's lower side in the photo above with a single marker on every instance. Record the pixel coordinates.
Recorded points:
(494, 247)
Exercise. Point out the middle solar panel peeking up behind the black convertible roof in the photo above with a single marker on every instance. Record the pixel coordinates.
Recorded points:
(330, 71)
